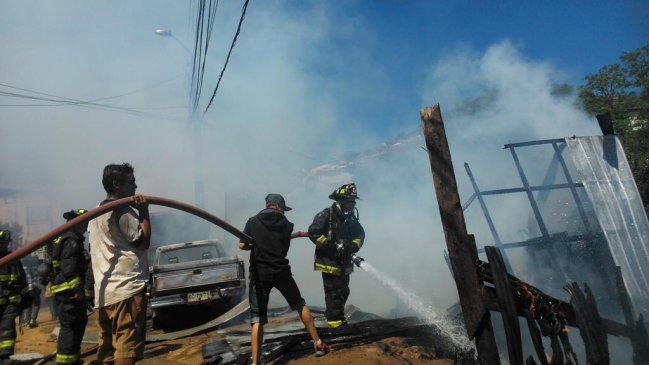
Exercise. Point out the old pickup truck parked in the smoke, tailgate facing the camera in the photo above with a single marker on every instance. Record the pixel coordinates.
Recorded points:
(194, 273)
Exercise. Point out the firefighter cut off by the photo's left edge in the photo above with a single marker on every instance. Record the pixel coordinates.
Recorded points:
(14, 297)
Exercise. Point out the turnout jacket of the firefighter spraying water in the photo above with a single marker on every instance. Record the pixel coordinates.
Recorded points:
(330, 227)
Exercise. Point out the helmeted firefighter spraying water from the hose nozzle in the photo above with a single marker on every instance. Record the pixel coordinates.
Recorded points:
(337, 235)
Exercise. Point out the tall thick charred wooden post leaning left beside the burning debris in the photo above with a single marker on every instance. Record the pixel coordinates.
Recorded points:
(461, 248)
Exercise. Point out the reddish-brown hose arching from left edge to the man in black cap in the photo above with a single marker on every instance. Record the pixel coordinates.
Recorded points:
(109, 207)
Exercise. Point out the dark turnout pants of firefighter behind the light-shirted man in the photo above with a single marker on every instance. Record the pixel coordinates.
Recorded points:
(73, 320)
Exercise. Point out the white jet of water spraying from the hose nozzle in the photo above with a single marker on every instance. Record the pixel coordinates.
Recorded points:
(456, 334)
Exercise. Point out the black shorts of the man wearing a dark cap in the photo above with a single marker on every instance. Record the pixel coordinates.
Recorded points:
(258, 295)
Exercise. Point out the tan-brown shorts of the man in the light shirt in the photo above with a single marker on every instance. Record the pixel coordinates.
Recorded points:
(128, 318)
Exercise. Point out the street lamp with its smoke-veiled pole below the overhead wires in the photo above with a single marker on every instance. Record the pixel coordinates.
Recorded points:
(196, 122)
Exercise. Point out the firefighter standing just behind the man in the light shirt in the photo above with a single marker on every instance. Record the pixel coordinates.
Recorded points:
(71, 289)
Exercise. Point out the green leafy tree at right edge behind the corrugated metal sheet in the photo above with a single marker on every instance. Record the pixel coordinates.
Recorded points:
(623, 90)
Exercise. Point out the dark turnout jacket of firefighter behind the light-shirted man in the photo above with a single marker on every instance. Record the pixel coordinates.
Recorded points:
(71, 265)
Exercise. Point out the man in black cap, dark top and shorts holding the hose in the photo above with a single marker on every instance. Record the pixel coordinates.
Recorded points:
(269, 268)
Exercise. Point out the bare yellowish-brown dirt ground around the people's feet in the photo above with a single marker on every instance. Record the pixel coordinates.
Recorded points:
(42, 340)
